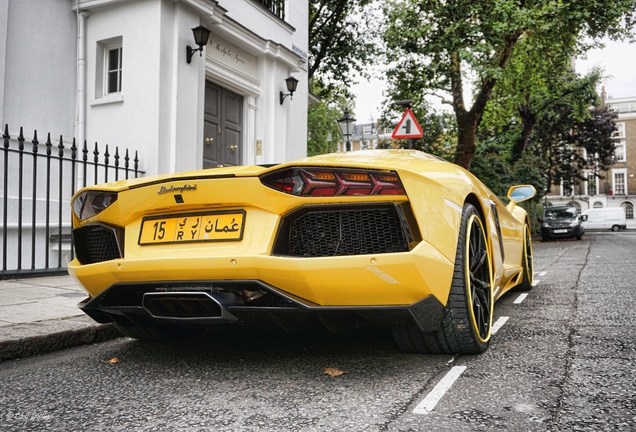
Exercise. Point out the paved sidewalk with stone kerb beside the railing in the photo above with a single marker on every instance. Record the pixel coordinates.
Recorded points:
(39, 315)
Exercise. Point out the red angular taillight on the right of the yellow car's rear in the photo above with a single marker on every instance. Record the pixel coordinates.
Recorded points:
(334, 182)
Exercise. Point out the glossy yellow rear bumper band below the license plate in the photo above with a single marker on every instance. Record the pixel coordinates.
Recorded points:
(394, 279)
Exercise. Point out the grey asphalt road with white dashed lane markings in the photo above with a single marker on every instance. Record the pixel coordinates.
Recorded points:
(562, 360)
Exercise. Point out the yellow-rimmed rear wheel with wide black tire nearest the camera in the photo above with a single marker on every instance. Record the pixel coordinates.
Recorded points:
(467, 317)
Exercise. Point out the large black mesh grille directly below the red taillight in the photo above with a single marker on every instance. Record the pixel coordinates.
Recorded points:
(342, 231)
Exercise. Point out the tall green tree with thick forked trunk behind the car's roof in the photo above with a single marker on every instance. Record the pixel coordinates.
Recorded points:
(440, 47)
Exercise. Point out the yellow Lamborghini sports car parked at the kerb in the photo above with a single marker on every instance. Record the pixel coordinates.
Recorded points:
(392, 238)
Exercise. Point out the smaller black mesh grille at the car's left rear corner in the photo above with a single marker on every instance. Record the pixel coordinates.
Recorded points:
(95, 243)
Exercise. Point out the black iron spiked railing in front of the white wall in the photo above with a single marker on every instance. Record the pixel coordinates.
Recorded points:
(38, 181)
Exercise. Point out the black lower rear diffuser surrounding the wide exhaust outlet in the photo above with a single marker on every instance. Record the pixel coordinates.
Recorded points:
(211, 303)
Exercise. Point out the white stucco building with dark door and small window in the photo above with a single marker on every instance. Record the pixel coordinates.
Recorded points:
(115, 71)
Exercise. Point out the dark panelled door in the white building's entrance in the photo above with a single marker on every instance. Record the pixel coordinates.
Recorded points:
(222, 127)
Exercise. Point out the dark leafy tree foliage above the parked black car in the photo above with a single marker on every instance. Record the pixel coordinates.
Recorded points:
(546, 133)
